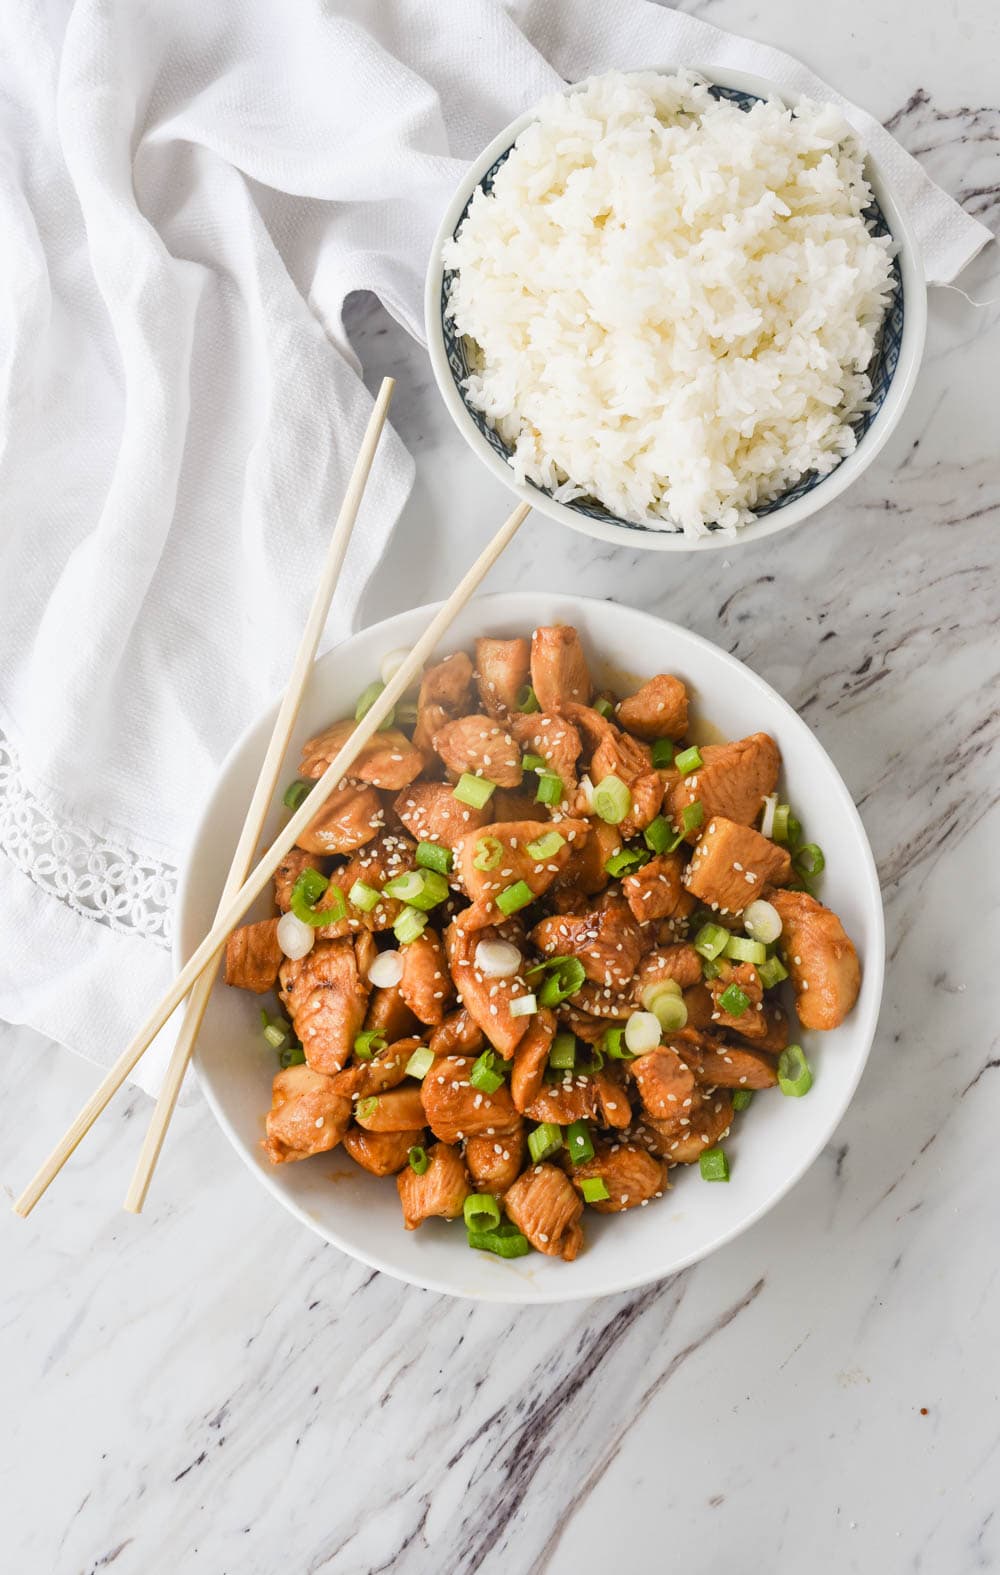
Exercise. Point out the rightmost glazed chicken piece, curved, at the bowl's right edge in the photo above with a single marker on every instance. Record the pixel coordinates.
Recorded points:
(821, 960)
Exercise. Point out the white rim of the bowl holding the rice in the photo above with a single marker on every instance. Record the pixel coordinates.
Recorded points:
(782, 519)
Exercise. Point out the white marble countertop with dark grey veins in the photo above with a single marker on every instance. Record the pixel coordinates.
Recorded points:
(210, 1388)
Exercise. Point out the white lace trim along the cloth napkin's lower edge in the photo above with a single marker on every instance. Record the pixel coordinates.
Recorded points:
(89, 873)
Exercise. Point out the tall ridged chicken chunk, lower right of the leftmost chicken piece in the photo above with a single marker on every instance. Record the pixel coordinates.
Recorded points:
(327, 1002)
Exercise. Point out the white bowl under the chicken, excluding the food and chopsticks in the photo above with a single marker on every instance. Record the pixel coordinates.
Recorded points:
(771, 1146)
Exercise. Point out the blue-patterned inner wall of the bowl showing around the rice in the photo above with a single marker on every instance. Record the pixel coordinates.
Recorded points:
(461, 357)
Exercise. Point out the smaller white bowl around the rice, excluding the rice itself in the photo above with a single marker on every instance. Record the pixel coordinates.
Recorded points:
(895, 376)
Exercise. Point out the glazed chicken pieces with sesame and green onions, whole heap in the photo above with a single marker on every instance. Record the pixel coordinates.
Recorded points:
(539, 949)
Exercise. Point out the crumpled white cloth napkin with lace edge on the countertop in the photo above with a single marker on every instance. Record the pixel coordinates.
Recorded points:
(188, 195)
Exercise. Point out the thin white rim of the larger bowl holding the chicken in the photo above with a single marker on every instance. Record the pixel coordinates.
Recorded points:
(514, 1291)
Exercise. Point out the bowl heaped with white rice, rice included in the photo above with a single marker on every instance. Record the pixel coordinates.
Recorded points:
(676, 313)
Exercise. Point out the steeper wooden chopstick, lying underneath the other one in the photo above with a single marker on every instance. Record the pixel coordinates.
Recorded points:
(264, 793)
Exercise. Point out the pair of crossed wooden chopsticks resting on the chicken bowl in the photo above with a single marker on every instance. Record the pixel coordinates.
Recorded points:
(246, 881)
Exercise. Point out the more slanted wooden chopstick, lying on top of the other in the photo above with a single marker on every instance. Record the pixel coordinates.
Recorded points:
(262, 875)
